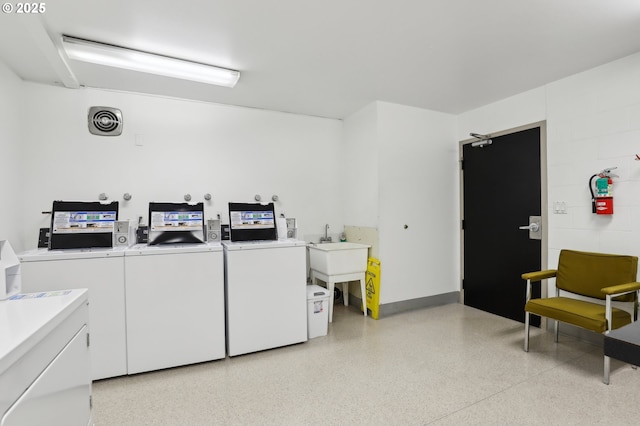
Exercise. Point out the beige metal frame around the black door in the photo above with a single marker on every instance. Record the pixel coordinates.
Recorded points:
(544, 208)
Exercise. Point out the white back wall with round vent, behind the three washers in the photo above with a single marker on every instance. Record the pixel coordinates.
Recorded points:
(171, 147)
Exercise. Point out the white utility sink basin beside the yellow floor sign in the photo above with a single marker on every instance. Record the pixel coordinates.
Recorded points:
(338, 258)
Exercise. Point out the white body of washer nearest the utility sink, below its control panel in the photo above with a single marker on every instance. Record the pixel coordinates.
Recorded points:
(266, 294)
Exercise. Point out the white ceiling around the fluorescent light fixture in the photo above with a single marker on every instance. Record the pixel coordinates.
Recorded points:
(330, 58)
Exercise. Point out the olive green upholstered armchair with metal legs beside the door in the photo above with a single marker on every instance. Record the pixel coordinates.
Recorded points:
(595, 277)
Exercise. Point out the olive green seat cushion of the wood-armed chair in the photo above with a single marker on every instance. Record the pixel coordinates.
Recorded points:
(581, 313)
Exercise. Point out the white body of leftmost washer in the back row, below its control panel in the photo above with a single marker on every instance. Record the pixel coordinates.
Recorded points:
(102, 272)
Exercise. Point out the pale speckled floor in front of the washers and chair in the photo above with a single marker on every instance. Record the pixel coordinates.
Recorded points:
(448, 365)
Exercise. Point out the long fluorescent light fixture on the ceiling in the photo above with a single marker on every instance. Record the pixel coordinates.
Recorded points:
(137, 60)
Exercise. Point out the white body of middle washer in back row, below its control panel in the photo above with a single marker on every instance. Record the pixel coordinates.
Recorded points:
(175, 305)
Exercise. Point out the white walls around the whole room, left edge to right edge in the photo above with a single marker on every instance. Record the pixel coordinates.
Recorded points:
(316, 165)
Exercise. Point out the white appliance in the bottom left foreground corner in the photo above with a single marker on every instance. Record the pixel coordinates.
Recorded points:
(44, 360)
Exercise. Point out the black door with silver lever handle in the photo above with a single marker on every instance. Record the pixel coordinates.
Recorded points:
(501, 189)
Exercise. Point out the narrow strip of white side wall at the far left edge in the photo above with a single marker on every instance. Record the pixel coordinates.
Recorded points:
(12, 192)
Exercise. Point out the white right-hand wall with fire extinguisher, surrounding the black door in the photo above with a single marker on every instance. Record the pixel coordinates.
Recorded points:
(593, 122)
